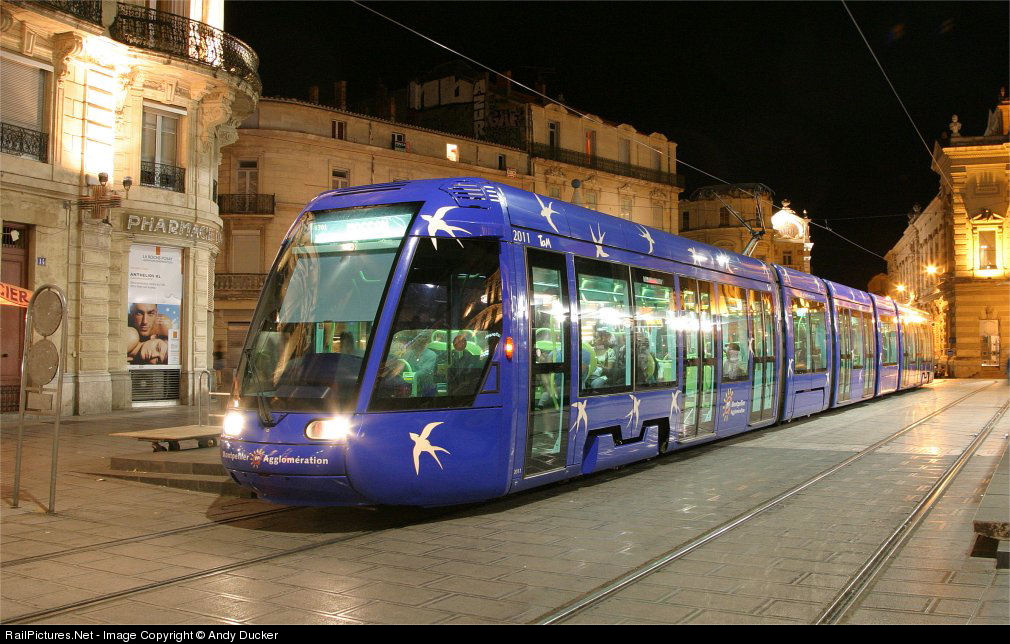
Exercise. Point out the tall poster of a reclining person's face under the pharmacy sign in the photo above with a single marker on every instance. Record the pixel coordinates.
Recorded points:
(154, 314)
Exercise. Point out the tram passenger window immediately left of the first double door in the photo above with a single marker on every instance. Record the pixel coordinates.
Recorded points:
(656, 331)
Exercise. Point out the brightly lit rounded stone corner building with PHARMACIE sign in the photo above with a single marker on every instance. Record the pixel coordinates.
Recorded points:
(114, 120)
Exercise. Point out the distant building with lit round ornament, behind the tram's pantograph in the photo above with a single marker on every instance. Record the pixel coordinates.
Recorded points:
(709, 218)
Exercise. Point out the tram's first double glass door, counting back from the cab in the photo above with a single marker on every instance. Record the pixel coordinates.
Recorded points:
(698, 417)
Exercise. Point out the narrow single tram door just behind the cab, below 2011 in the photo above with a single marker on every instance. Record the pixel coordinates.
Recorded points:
(550, 338)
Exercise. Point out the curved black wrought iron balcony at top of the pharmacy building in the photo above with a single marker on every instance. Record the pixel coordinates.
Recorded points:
(196, 42)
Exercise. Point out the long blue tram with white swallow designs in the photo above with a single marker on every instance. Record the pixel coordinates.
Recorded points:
(445, 342)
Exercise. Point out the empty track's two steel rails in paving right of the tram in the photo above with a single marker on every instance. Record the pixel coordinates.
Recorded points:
(858, 584)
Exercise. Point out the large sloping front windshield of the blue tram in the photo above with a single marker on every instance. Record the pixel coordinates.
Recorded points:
(307, 345)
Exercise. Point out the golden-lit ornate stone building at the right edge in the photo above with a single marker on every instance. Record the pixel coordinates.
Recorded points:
(954, 259)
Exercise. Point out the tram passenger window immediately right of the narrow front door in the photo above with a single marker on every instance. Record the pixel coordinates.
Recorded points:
(604, 327)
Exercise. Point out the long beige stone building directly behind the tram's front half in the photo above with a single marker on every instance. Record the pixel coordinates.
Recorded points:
(288, 152)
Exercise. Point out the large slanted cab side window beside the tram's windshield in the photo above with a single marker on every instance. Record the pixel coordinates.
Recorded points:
(446, 331)
